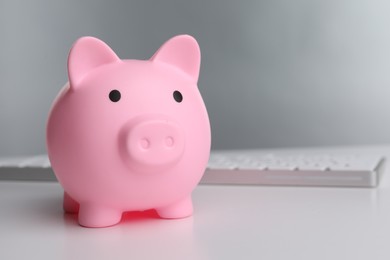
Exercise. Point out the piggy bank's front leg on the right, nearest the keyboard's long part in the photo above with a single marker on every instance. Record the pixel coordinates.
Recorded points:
(179, 209)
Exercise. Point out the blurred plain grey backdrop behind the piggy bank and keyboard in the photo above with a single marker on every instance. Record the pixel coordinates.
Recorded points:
(274, 73)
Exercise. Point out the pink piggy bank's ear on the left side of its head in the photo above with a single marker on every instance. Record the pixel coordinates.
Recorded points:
(87, 54)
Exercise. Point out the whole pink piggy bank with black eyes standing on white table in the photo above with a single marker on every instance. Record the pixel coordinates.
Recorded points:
(129, 135)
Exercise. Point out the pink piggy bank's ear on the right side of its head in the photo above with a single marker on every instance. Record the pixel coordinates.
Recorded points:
(182, 52)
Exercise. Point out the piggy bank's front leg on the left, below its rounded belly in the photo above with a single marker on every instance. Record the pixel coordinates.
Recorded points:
(95, 215)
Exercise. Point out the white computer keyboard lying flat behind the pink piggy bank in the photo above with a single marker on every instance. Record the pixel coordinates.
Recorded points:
(247, 167)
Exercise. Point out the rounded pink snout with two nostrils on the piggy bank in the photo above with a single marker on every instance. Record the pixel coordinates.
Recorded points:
(153, 141)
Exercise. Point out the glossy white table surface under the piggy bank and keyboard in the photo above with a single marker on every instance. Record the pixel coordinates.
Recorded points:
(230, 222)
